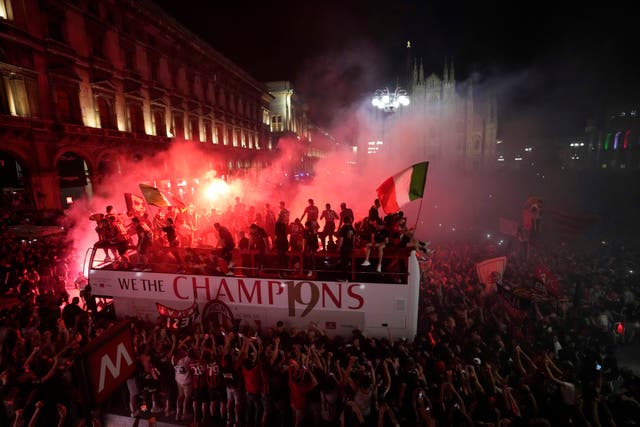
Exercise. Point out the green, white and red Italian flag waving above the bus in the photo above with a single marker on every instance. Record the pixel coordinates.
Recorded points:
(403, 187)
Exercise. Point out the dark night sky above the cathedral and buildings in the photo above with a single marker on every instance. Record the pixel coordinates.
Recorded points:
(552, 64)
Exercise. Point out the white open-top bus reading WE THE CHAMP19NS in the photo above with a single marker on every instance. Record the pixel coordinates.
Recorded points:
(375, 303)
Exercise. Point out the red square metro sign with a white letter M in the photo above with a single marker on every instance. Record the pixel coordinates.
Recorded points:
(108, 362)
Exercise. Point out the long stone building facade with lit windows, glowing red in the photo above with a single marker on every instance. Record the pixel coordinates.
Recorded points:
(85, 84)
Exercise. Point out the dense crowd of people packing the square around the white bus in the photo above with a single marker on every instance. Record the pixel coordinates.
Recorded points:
(478, 359)
